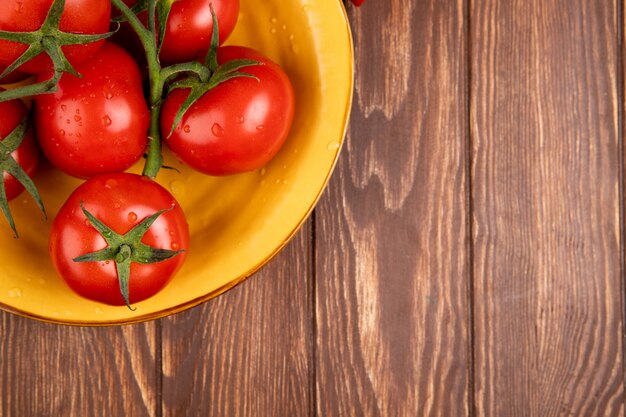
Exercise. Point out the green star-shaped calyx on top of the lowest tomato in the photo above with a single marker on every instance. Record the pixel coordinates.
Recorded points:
(125, 249)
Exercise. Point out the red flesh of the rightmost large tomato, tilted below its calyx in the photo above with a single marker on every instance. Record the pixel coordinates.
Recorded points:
(239, 125)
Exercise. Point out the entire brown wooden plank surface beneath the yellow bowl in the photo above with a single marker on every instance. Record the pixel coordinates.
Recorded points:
(467, 258)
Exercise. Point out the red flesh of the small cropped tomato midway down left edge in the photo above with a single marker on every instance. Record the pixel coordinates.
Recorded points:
(27, 154)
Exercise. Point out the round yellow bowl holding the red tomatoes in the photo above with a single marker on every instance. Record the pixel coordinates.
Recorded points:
(237, 223)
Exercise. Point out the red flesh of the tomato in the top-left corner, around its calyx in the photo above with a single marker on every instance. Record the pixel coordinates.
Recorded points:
(79, 16)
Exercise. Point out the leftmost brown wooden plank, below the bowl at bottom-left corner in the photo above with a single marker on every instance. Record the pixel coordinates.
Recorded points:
(53, 370)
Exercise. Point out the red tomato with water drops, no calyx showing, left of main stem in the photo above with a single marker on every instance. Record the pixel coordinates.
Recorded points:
(98, 123)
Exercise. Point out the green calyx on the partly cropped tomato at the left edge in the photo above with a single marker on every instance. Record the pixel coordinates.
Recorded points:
(8, 164)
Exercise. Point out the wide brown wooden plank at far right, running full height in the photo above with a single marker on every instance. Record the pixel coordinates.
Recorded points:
(546, 204)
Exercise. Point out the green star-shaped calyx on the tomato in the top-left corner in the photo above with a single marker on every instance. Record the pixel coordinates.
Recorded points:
(47, 39)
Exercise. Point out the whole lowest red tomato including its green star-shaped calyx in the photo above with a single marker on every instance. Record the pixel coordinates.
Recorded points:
(119, 239)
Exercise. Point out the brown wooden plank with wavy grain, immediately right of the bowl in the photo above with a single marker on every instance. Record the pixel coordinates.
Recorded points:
(392, 234)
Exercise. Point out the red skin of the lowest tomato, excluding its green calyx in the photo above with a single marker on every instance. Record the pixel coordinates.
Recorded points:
(120, 201)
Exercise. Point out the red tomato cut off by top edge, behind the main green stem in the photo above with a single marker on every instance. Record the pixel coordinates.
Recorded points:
(189, 29)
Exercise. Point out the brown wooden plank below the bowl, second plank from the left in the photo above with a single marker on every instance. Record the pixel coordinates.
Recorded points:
(247, 352)
